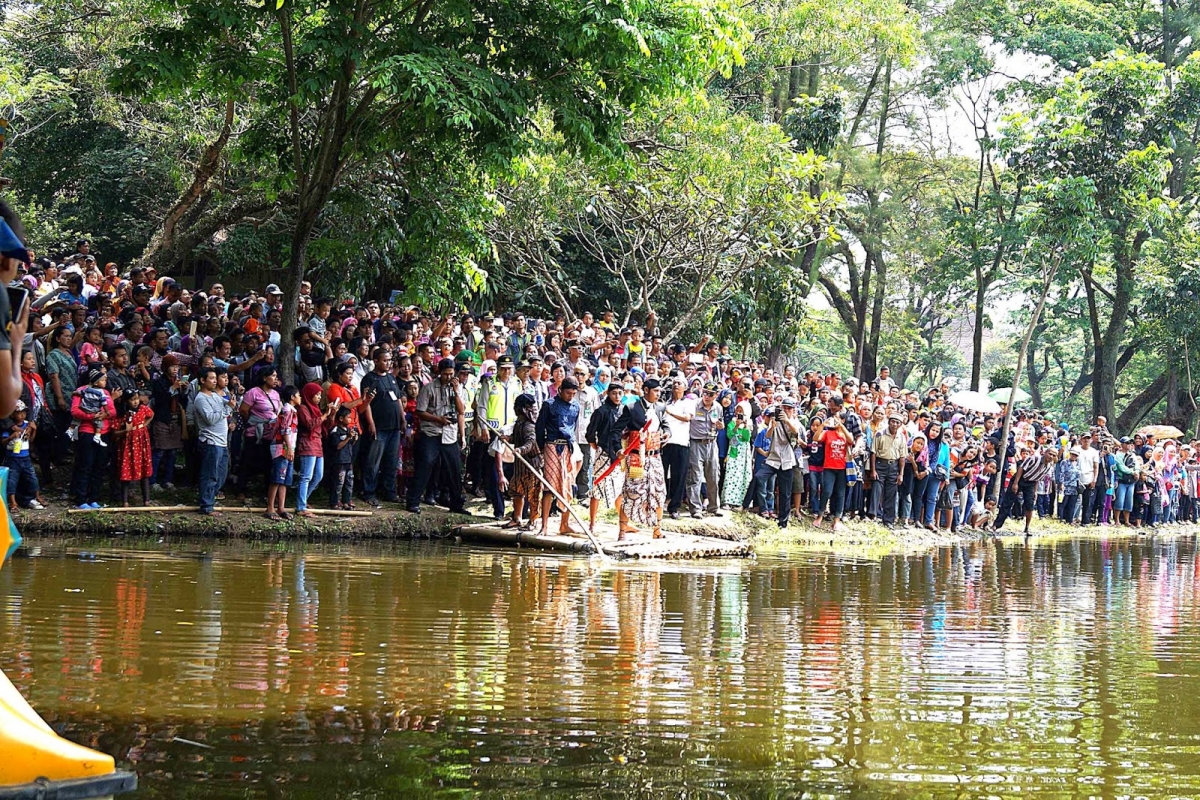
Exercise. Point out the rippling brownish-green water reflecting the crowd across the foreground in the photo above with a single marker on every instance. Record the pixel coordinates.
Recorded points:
(1063, 671)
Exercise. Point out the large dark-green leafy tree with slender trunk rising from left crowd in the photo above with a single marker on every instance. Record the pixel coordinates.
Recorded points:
(332, 88)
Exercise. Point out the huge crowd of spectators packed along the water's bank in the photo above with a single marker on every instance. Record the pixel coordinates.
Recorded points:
(133, 383)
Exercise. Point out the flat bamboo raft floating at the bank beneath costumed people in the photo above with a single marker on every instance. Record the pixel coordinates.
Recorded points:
(674, 545)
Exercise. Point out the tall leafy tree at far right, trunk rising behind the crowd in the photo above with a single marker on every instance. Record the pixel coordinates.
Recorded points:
(1113, 124)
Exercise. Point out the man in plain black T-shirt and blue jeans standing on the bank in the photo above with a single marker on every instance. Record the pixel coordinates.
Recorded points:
(383, 418)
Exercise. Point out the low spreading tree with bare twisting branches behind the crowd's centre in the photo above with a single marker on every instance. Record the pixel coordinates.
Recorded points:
(705, 199)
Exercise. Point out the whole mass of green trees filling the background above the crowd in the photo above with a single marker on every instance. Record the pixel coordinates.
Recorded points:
(783, 173)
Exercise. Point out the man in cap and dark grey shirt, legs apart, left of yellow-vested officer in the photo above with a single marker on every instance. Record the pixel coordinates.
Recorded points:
(439, 408)
